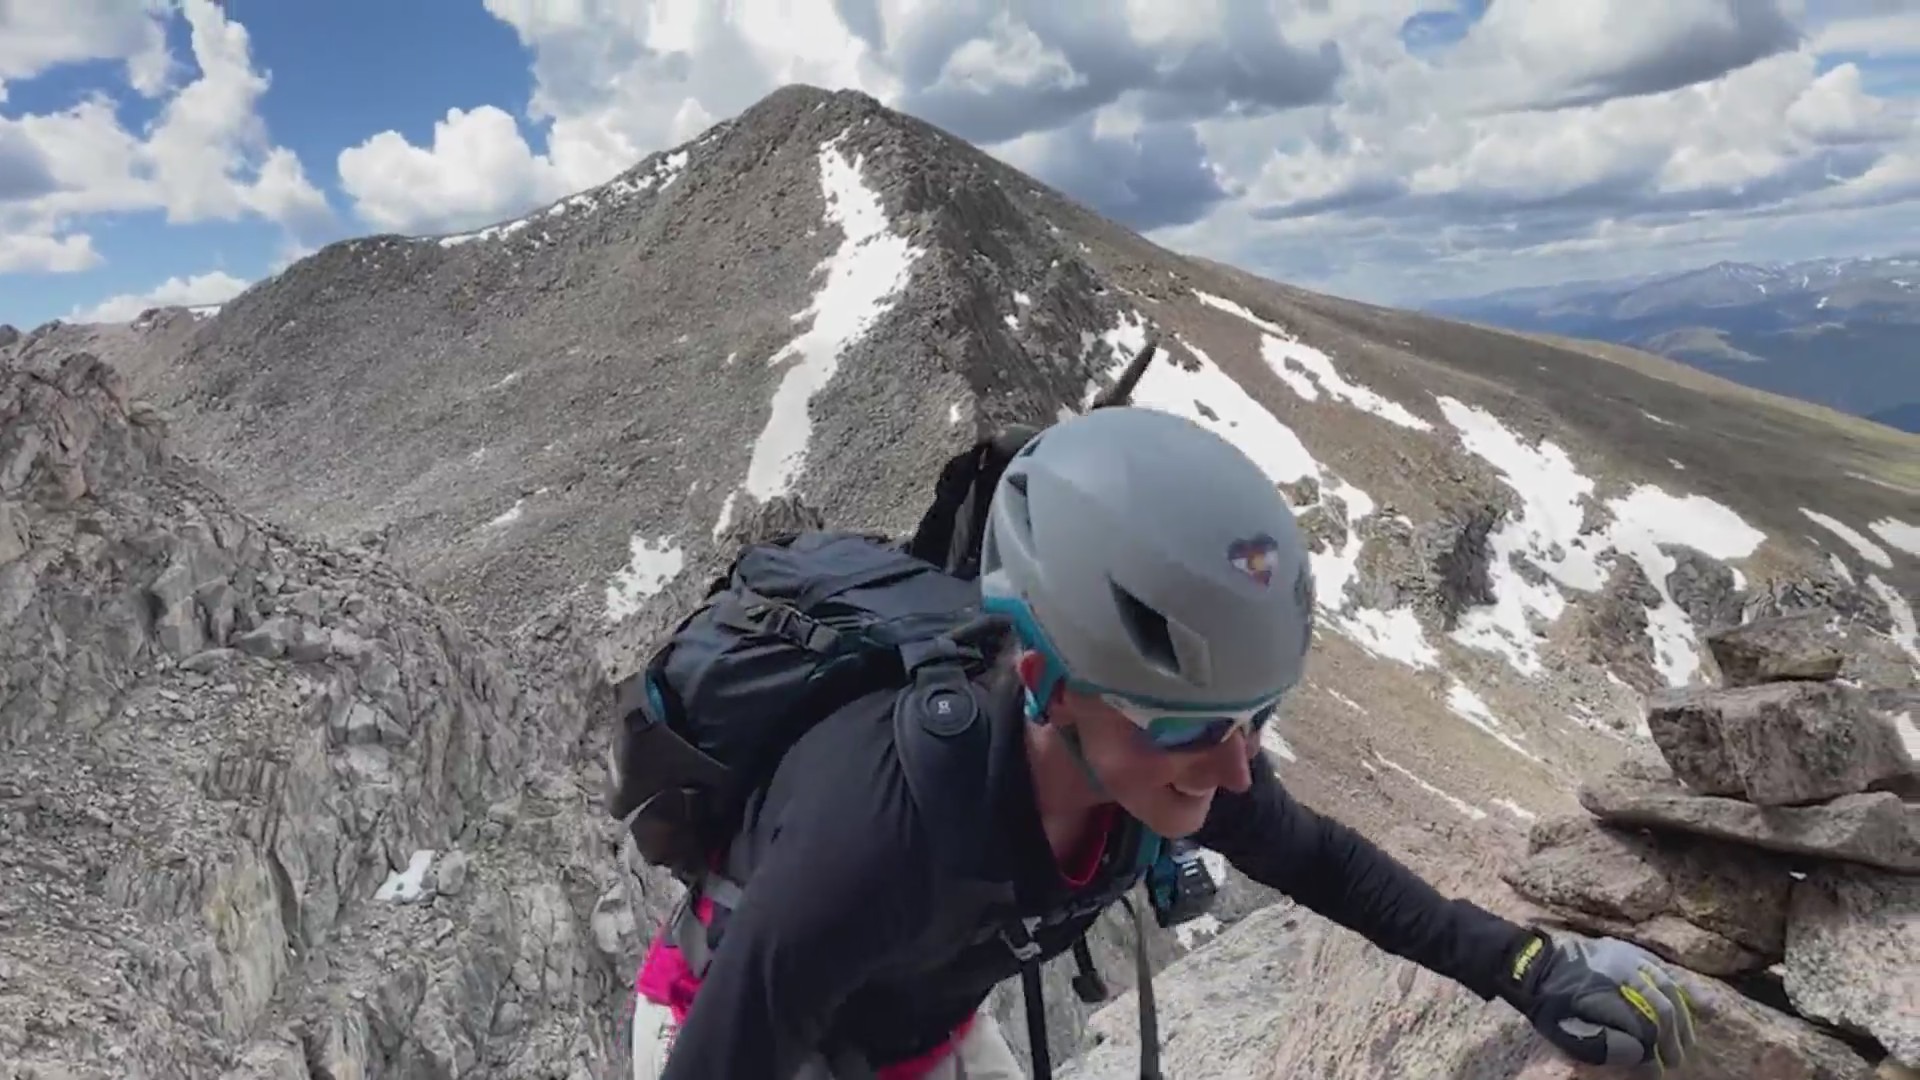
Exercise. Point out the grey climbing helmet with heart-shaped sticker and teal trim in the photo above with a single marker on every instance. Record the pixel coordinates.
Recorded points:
(1153, 562)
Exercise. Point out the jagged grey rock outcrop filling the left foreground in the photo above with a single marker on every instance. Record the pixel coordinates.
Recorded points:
(268, 812)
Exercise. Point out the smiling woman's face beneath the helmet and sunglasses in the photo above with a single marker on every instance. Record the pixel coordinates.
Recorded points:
(1168, 791)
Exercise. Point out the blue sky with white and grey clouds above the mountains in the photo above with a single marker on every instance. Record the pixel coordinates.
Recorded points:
(178, 151)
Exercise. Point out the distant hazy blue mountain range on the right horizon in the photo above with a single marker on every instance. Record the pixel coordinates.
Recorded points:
(1844, 333)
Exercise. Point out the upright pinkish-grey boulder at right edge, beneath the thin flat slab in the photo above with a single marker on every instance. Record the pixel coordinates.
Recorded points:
(1854, 954)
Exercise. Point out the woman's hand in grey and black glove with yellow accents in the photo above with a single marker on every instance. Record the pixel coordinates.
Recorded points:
(1600, 1002)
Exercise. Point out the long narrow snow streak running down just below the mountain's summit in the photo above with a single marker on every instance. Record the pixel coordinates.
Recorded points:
(865, 274)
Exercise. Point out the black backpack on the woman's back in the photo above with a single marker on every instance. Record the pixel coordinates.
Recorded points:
(798, 627)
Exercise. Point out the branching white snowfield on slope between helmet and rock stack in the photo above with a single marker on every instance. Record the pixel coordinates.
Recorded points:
(1547, 531)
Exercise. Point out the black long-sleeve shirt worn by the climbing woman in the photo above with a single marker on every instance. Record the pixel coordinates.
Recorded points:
(855, 931)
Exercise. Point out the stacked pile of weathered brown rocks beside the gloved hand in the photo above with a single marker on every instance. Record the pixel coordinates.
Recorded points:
(1758, 847)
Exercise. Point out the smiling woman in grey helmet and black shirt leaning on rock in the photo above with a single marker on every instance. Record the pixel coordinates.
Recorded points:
(1161, 608)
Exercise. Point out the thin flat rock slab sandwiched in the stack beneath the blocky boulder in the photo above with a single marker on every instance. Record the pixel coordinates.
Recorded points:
(1875, 829)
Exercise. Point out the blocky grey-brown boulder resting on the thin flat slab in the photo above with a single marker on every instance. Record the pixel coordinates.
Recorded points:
(1779, 745)
